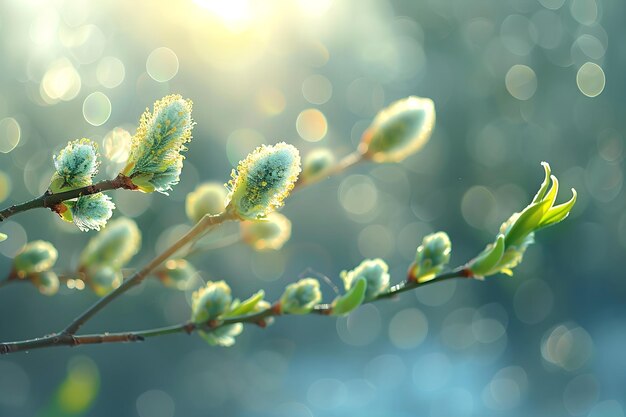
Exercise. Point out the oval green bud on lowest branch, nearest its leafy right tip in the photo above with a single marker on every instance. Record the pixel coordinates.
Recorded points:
(431, 256)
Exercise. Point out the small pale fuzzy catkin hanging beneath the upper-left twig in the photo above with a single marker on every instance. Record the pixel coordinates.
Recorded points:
(90, 212)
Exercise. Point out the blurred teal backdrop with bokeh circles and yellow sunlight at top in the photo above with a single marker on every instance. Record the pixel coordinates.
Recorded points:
(515, 82)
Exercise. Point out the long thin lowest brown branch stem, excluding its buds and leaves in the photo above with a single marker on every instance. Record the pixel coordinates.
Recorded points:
(68, 339)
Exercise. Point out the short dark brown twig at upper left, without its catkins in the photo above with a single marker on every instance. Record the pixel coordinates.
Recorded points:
(51, 200)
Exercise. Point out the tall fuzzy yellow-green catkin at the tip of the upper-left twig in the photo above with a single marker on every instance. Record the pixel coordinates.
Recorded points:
(155, 162)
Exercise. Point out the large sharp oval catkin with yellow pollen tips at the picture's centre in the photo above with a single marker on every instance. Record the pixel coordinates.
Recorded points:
(263, 180)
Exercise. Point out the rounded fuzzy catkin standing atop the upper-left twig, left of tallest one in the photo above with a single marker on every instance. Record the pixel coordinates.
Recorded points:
(75, 165)
